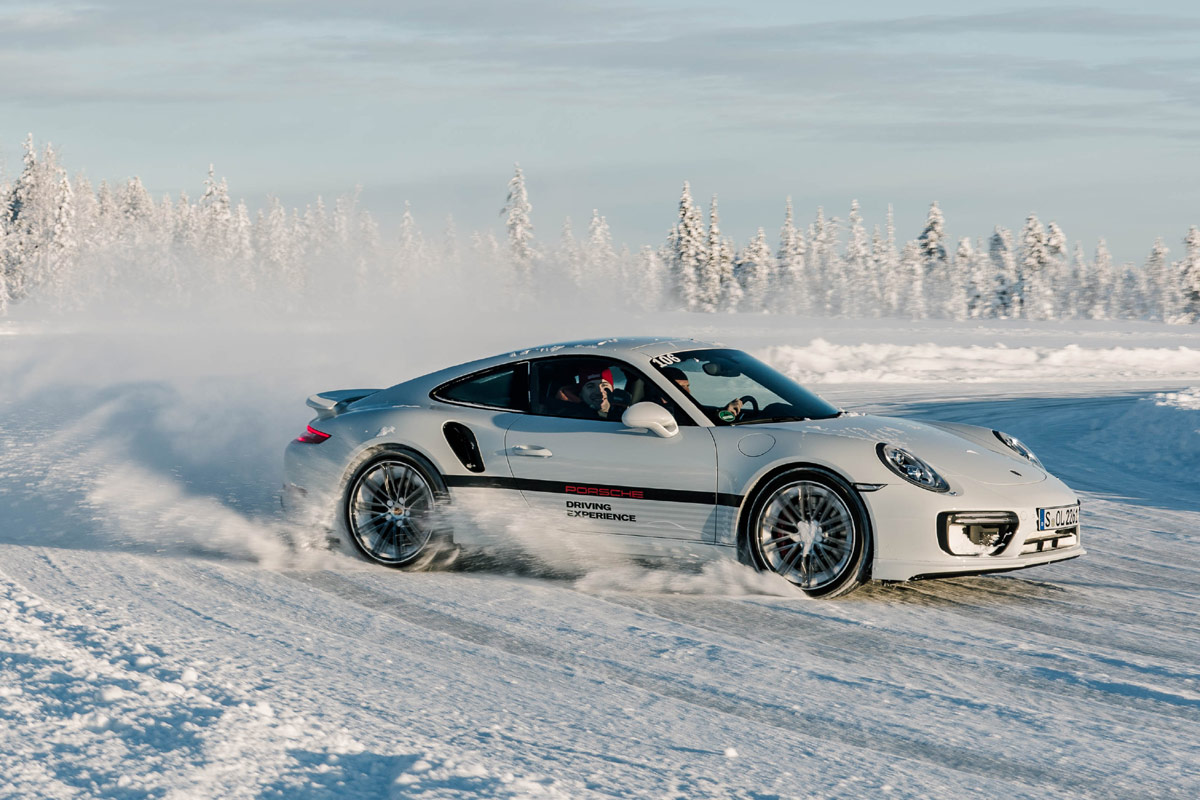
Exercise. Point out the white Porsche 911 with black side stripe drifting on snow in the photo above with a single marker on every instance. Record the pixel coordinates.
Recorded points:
(653, 447)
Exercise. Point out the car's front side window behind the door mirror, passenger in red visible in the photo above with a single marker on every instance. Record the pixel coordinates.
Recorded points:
(591, 388)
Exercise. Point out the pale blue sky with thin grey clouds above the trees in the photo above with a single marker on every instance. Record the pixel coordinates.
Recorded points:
(1087, 116)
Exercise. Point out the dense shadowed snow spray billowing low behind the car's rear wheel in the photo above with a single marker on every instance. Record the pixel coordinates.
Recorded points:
(119, 467)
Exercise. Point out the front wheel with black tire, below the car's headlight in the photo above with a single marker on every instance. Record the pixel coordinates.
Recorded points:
(812, 528)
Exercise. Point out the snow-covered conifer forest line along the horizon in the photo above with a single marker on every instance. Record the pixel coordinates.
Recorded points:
(67, 245)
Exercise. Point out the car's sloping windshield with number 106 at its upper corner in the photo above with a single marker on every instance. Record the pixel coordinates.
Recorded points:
(733, 388)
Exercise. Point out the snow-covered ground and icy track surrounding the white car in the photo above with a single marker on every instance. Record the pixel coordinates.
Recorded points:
(164, 634)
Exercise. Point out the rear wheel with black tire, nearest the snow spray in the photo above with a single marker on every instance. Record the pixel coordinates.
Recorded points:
(393, 512)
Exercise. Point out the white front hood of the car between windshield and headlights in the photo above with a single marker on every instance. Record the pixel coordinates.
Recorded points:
(950, 454)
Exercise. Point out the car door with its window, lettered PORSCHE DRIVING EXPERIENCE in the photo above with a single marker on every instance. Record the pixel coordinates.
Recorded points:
(596, 476)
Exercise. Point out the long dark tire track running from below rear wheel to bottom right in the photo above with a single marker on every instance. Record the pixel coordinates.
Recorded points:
(796, 723)
